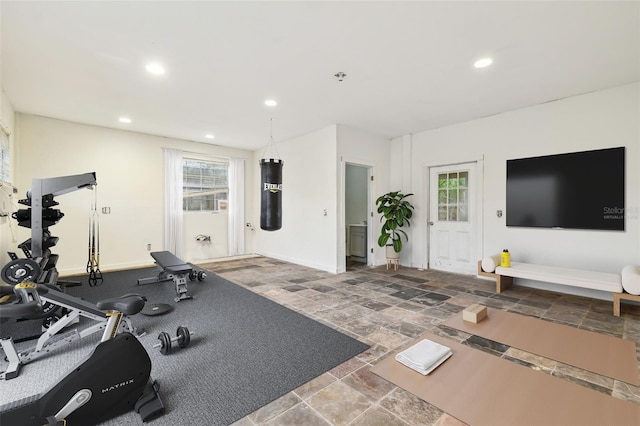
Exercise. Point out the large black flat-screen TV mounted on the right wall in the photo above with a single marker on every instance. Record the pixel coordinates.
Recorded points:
(579, 190)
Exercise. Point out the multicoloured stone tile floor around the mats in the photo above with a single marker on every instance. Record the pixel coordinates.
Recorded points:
(386, 309)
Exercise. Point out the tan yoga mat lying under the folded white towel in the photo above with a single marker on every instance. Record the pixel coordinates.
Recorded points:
(482, 389)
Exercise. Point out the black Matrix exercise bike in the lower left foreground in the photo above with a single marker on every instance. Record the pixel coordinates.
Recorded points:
(112, 380)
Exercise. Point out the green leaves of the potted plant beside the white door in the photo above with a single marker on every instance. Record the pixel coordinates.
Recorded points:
(396, 213)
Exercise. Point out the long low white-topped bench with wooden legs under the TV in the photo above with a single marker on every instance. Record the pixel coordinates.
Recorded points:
(574, 277)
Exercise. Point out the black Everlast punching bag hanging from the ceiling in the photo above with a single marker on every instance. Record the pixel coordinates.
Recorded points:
(271, 200)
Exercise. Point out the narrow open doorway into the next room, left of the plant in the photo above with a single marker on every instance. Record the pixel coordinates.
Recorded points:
(356, 218)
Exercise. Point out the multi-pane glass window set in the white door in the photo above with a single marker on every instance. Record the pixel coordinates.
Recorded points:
(453, 197)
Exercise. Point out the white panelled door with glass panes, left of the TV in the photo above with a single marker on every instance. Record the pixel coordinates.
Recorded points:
(452, 218)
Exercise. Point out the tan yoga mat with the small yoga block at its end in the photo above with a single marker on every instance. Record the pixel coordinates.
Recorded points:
(595, 352)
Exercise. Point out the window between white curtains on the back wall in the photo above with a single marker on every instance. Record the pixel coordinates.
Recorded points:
(205, 185)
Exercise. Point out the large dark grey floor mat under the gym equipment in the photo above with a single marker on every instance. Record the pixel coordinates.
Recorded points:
(246, 350)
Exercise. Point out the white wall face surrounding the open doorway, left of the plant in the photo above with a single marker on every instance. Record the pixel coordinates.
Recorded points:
(356, 146)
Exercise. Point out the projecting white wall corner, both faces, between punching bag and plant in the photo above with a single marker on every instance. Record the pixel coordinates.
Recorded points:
(314, 180)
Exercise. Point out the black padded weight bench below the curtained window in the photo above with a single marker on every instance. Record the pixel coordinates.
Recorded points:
(172, 268)
